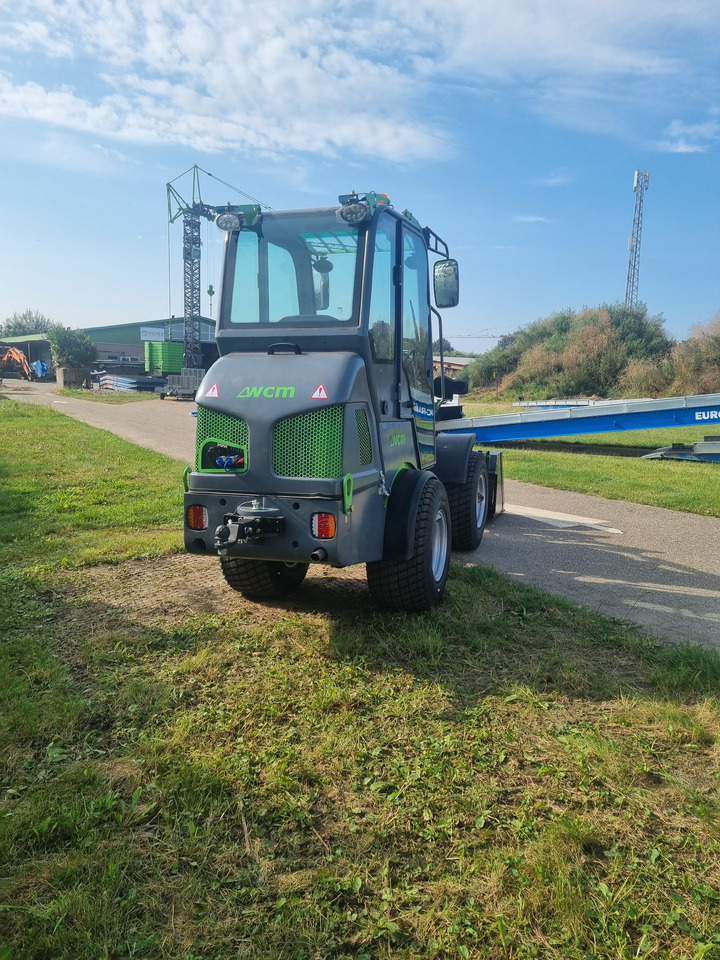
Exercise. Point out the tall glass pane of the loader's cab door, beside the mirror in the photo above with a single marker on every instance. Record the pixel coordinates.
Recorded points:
(416, 333)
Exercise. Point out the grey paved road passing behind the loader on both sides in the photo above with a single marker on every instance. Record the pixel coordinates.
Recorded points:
(659, 568)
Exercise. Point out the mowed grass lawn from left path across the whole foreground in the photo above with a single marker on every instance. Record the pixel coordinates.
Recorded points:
(507, 776)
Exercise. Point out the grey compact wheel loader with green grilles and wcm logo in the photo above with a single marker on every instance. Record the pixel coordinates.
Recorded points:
(319, 430)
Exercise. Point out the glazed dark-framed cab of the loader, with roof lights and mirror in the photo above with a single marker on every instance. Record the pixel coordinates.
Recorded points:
(352, 278)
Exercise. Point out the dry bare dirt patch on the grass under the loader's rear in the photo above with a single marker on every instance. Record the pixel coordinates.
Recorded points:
(175, 588)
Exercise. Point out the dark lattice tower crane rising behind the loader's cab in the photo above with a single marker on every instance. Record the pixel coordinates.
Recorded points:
(192, 212)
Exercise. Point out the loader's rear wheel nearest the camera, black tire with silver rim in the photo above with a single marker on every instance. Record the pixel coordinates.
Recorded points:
(419, 583)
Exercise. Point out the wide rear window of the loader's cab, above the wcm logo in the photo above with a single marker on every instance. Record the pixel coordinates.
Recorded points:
(293, 269)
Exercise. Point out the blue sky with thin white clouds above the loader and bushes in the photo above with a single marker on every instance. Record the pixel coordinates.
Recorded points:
(512, 129)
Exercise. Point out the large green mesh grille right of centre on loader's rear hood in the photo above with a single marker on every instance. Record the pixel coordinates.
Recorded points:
(310, 445)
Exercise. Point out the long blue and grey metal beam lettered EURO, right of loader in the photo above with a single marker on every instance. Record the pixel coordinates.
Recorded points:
(601, 417)
